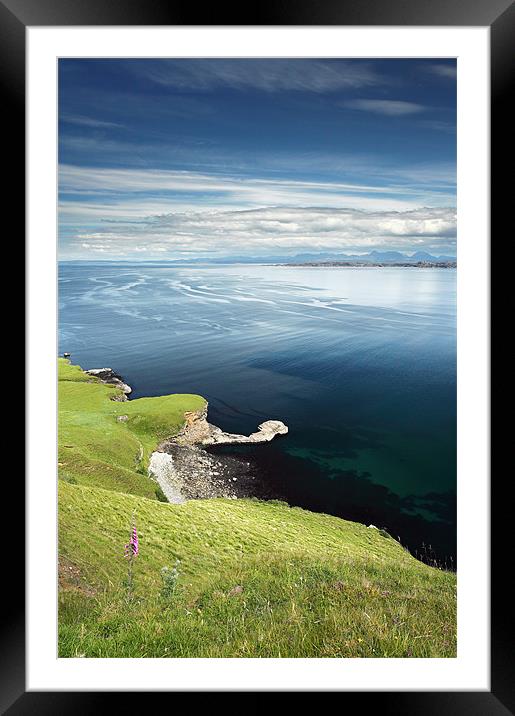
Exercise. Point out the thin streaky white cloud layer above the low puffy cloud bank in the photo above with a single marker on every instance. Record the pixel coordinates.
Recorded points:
(90, 195)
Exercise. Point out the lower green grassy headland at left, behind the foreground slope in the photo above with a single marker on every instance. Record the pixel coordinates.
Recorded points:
(98, 450)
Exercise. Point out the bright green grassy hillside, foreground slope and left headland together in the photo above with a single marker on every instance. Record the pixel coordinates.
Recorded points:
(255, 579)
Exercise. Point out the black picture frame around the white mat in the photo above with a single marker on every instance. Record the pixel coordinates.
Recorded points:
(15, 17)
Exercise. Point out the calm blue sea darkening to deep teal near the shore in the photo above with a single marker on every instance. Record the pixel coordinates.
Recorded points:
(360, 363)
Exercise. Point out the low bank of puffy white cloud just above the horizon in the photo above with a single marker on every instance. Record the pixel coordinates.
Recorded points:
(276, 230)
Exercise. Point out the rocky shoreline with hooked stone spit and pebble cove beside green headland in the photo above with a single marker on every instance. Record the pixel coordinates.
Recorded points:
(184, 466)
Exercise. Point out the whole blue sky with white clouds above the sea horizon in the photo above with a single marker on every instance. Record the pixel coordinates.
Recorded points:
(210, 158)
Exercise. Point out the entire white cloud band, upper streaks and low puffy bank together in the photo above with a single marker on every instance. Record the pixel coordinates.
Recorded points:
(136, 211)
